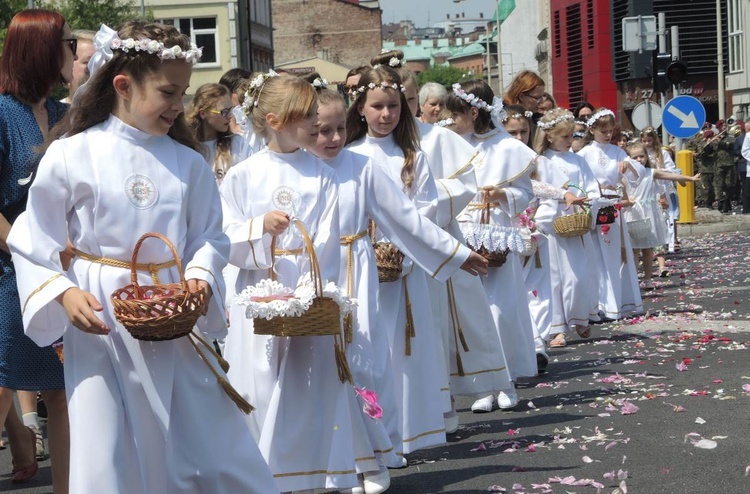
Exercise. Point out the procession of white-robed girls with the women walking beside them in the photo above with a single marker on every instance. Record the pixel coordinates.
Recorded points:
(269, 177)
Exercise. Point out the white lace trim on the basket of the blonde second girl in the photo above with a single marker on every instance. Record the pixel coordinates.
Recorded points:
(269, 298)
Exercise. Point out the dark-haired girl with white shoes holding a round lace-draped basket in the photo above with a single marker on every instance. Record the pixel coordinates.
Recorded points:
(504, 178)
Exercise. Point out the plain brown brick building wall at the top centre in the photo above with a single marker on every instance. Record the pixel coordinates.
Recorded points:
(345, 32)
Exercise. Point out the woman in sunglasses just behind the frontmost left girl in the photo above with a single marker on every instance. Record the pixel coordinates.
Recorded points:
(209, 116)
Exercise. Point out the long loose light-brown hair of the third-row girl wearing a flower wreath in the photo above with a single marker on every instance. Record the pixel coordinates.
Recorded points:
(405, 134)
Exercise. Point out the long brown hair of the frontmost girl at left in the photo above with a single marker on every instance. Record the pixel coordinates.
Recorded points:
(95, 104)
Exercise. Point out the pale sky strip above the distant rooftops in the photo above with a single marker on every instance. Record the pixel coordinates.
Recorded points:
(424, 13)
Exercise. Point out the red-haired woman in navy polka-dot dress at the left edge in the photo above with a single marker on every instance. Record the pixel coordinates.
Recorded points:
(38, 55)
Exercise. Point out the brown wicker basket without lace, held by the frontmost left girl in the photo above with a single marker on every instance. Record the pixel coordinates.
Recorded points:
(159, 312)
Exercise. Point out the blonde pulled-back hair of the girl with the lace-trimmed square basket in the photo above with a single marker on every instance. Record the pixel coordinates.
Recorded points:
(288, 97)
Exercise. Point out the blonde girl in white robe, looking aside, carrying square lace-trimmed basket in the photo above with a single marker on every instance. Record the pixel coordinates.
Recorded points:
(303, 420)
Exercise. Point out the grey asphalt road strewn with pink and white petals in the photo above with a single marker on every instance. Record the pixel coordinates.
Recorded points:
(652, 404)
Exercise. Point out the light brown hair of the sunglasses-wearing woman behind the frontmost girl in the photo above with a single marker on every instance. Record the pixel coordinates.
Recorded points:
(205, 99)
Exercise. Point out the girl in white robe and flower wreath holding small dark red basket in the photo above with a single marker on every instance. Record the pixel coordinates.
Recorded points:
(619, 294)
